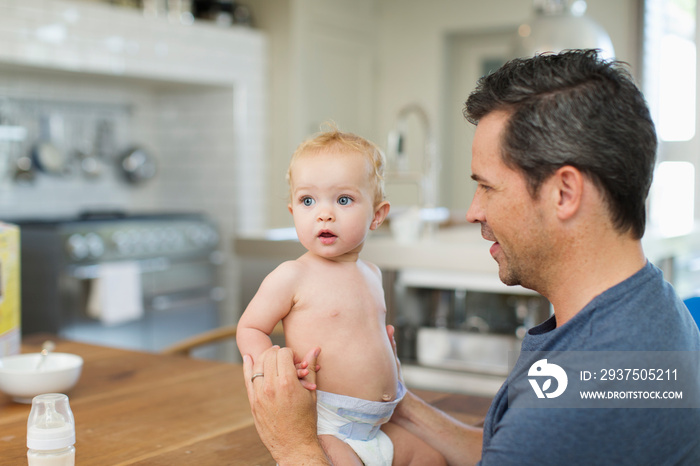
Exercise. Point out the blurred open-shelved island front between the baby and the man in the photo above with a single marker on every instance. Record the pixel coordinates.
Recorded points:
(458, 330)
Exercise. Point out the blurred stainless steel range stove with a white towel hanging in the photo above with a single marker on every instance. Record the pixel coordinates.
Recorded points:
(136, 281)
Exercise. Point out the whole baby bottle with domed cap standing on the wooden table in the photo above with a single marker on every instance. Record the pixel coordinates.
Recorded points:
(51, 431)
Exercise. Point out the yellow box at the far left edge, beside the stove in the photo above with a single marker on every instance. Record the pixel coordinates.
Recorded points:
(9, 289)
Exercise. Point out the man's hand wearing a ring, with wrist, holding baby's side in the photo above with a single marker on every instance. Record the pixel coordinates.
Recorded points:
(283, 409)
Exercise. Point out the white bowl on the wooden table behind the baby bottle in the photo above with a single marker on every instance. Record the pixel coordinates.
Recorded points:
(20, 378)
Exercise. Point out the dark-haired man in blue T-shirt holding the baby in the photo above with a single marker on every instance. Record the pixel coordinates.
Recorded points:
(563, 155)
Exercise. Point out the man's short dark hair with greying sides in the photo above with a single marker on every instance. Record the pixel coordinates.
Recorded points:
(576, 109)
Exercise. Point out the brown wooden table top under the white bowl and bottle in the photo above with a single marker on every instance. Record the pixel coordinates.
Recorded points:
(142, 408)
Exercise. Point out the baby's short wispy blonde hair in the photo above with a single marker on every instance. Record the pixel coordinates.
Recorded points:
(334, 139)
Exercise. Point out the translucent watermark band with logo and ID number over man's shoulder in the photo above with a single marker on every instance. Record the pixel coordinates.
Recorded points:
(604, 379)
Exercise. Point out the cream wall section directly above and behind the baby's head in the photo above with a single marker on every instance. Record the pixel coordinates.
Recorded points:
(323, 68)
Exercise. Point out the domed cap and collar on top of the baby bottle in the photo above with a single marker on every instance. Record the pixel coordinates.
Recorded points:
(50, 425)
